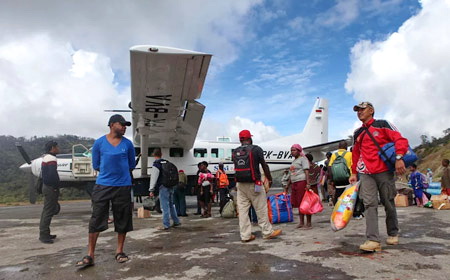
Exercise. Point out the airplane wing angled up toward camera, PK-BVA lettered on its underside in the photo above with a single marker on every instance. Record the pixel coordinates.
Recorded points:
(165, 83)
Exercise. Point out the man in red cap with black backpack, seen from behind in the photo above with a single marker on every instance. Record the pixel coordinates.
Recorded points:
(247, 159)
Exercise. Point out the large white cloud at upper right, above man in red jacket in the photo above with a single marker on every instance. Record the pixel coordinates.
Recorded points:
(406, 75)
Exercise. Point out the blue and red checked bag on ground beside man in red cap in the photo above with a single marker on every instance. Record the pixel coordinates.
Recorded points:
(280, 208)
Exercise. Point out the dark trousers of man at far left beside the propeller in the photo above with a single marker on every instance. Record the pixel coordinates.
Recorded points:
(51, 208)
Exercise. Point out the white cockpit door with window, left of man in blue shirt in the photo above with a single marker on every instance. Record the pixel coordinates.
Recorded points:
(82, 162)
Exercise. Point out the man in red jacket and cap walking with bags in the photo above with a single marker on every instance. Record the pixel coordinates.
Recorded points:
(374, 174)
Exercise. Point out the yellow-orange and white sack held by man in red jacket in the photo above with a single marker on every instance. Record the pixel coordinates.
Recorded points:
(343, 210)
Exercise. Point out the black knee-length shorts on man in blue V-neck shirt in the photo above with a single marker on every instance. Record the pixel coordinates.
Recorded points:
(120, 198)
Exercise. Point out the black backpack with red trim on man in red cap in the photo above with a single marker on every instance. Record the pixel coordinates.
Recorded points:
(243, 164)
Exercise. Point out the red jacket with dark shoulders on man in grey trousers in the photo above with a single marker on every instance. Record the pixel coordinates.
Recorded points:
(365, 153)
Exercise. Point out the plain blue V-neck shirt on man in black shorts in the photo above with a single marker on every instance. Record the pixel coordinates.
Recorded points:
(113, 163)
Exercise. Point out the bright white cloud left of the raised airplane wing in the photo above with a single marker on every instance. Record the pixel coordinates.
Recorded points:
(52, 89)
